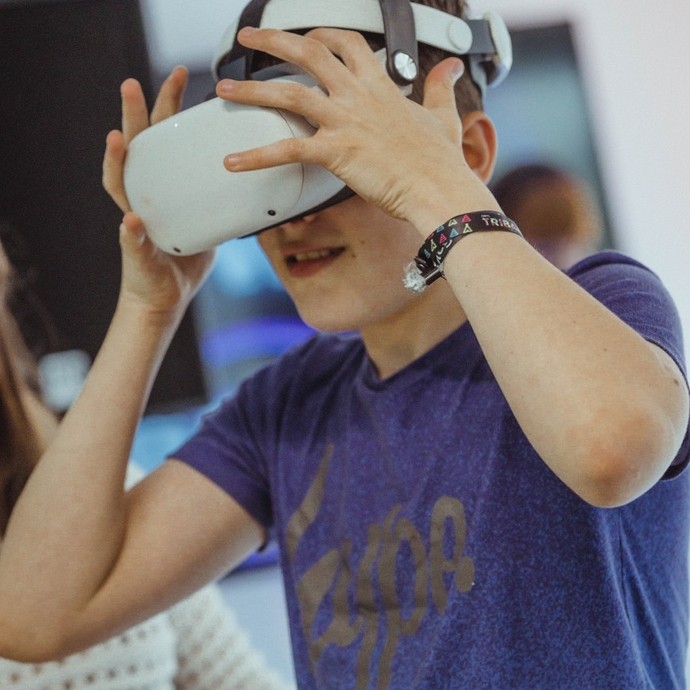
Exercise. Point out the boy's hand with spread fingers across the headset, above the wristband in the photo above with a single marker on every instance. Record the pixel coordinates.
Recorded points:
(391, 151)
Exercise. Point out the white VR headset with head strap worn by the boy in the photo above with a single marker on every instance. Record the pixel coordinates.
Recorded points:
(174, 175)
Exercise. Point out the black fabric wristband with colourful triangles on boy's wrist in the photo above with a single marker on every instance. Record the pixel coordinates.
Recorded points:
(428, 264)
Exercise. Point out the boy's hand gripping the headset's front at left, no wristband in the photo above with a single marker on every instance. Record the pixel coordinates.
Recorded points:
(163, 284)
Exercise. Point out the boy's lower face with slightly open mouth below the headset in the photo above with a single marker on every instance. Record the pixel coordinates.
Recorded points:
(343, 267)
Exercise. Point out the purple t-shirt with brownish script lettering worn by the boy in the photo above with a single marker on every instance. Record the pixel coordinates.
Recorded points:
(423, 542)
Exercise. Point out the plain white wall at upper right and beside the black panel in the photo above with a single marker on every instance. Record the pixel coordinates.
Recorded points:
(635, 59)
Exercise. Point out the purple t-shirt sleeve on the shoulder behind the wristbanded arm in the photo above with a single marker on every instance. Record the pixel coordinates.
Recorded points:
(638, 297)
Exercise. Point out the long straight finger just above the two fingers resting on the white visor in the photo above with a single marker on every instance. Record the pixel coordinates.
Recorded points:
(309, 54)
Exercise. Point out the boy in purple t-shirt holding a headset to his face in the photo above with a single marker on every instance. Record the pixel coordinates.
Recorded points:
(481, 487)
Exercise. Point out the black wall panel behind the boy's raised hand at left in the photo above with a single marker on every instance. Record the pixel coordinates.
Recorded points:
(61, 64)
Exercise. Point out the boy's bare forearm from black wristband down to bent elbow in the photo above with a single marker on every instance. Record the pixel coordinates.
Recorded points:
(605, 409)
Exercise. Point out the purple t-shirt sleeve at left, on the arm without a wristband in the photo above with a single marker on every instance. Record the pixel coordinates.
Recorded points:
(239, 445)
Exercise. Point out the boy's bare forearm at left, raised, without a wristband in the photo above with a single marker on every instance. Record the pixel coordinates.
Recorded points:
(66, 531)
